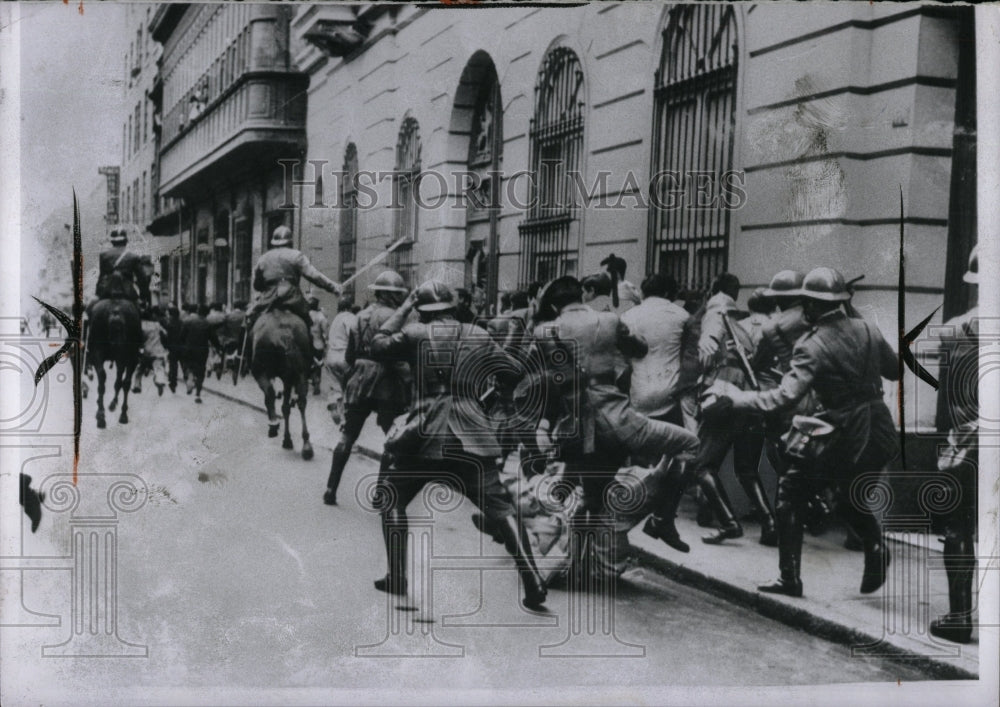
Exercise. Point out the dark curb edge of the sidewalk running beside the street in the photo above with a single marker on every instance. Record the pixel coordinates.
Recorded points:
(772, 608)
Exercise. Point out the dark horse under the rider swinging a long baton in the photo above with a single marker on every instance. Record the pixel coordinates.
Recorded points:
(282, 349)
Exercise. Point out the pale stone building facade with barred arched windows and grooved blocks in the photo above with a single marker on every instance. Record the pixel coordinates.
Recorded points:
(783, 136)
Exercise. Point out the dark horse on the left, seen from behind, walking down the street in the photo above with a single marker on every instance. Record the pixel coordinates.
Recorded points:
(115, 335)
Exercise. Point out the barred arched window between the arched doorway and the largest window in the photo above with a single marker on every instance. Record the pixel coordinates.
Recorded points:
(550, 236)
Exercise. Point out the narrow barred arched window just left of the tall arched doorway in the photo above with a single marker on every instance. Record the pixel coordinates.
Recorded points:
(405, 183)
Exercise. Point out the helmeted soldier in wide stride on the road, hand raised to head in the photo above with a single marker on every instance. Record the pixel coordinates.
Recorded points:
(446, 436)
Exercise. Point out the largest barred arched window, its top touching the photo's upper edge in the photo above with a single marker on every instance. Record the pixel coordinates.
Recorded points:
(694, 117)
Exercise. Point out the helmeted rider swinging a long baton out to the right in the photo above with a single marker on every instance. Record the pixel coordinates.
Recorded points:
(277, 278)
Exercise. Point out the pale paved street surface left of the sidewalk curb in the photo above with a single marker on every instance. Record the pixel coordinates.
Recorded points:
(235, 574)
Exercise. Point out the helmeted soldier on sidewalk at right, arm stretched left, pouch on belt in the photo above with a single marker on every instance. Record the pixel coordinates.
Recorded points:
(843, 360)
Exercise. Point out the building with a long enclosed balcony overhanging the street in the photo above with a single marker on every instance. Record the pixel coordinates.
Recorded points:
(232, 105)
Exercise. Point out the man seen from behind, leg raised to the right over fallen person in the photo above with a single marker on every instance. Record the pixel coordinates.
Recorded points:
(585, 354)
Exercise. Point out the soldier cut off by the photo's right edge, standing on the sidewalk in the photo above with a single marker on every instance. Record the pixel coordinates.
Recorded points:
(959, 415)
